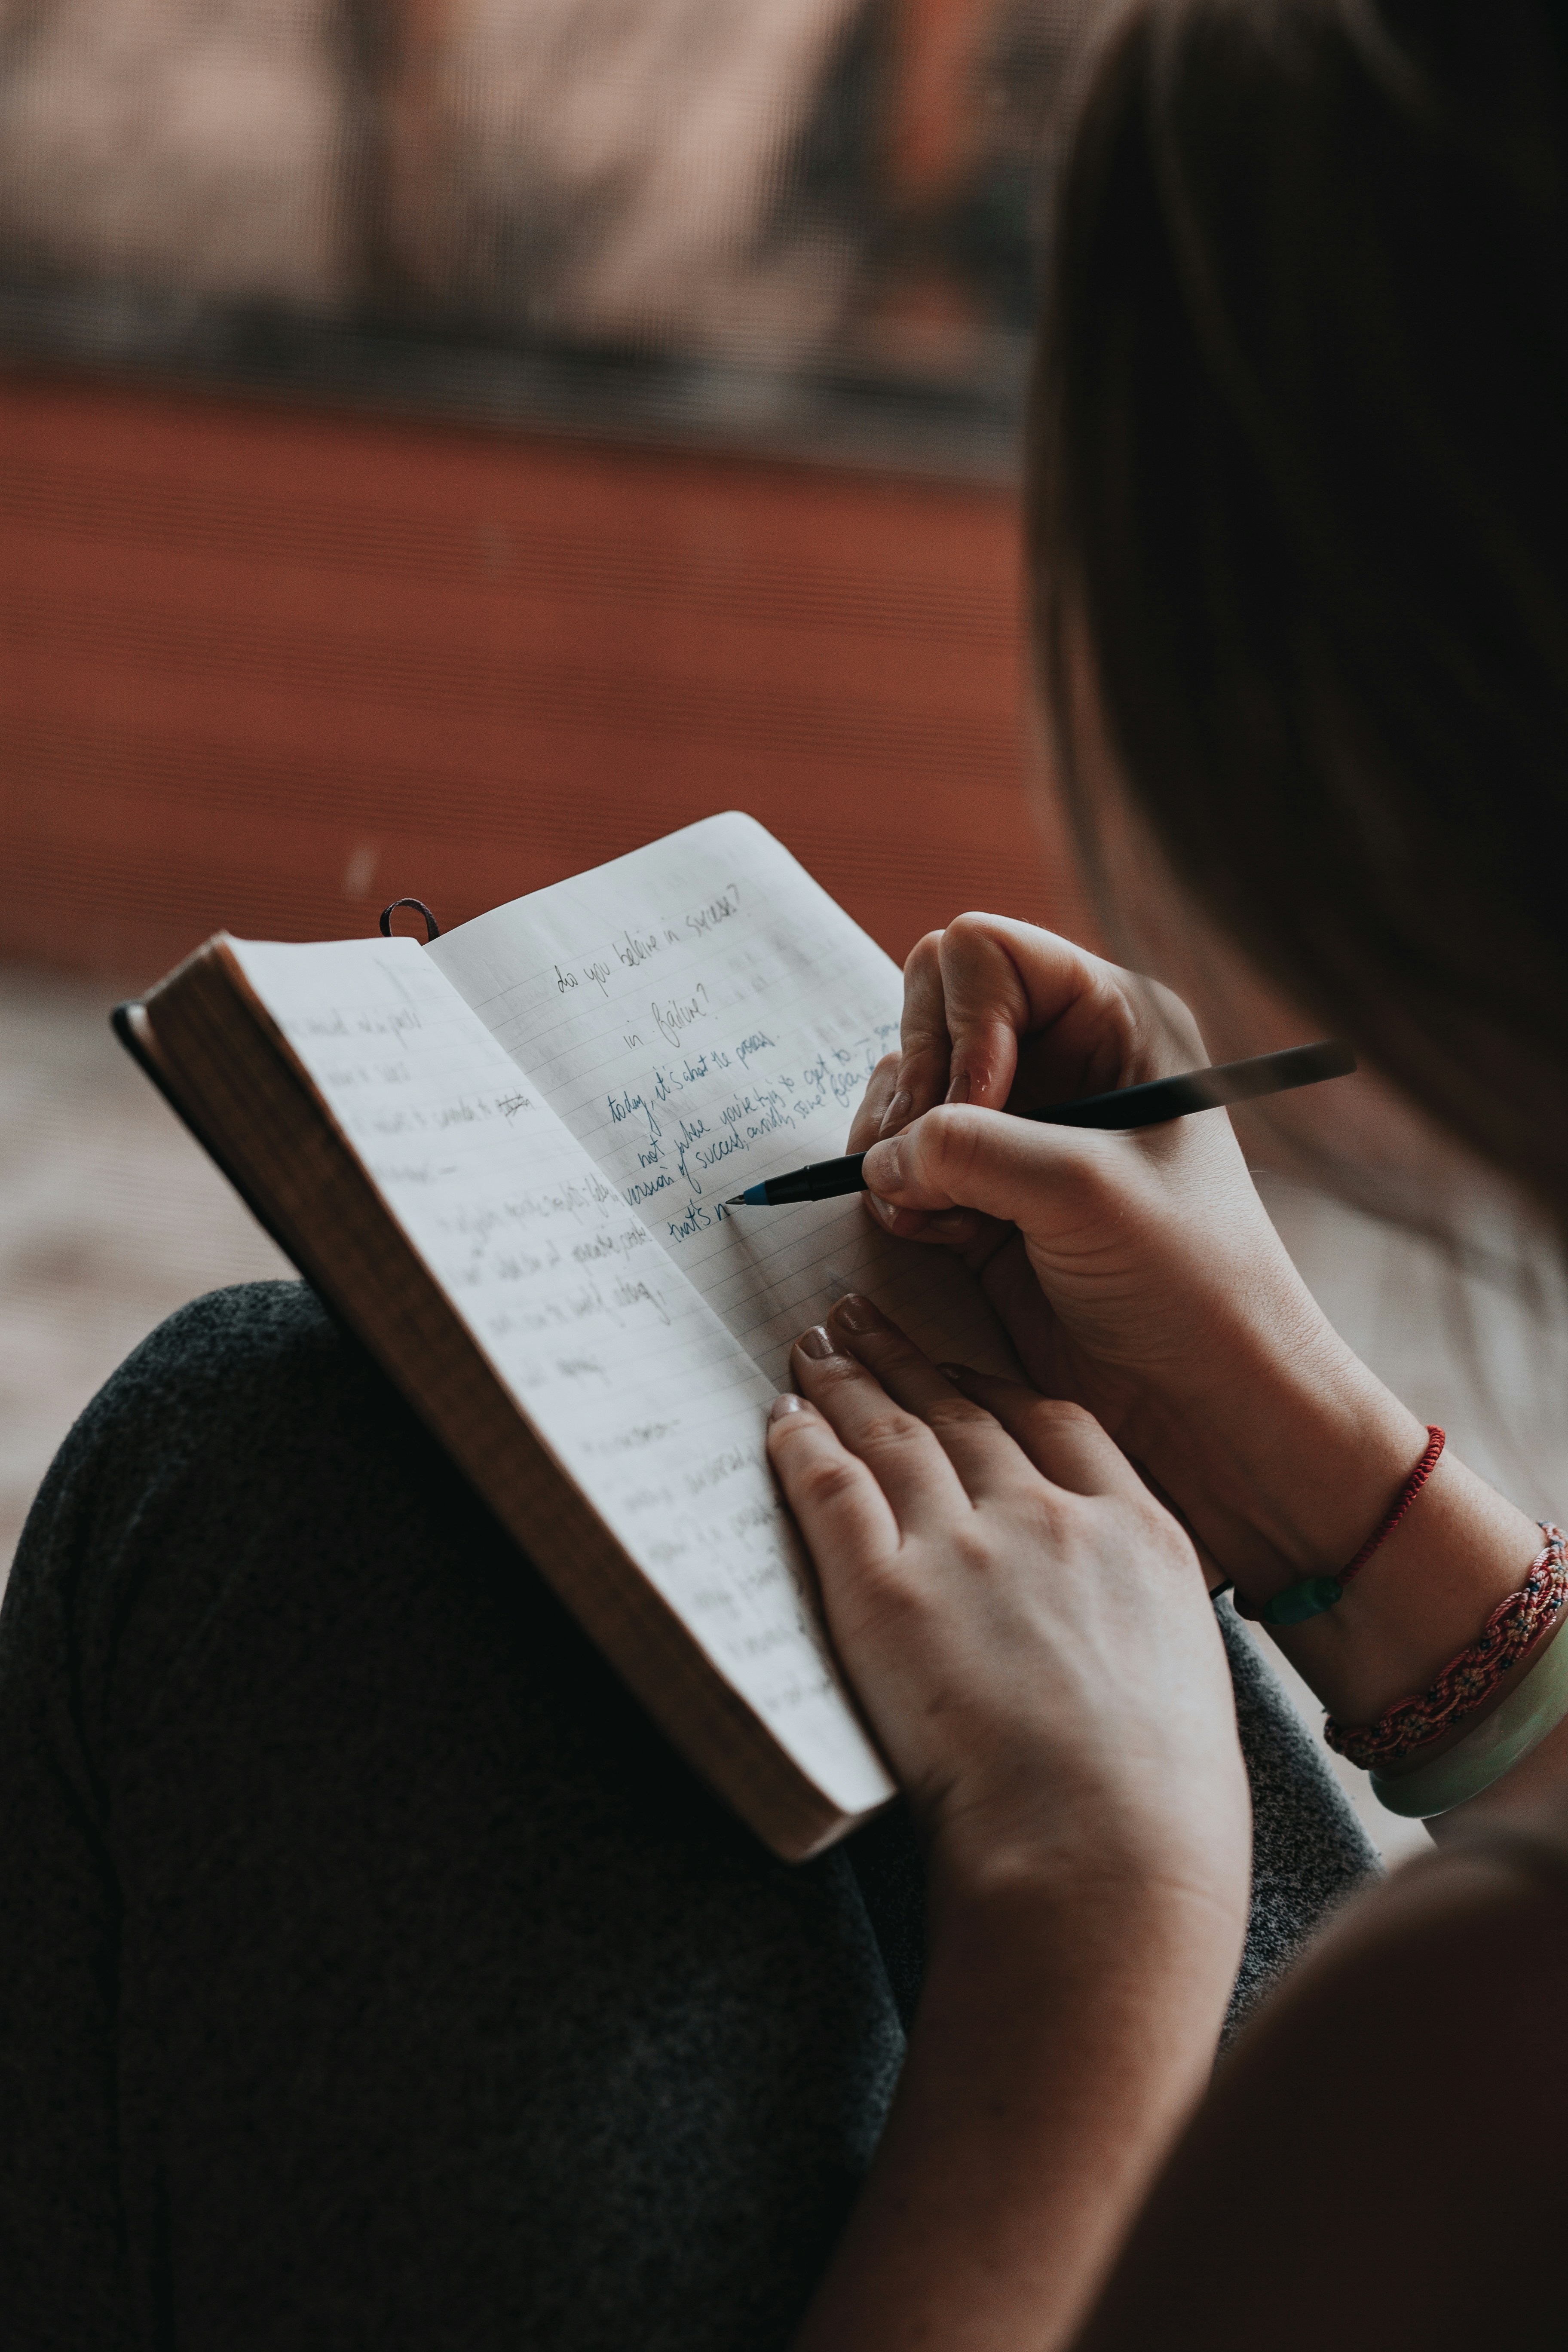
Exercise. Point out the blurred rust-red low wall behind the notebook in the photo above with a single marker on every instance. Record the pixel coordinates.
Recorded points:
(269, 669)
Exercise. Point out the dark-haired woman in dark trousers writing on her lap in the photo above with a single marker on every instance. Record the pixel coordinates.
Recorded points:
(368, 1967)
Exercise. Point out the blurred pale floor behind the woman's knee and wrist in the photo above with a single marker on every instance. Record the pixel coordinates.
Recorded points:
(112, 1217)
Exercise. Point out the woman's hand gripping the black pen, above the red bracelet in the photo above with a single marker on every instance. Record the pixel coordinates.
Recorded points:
(1137, 1274)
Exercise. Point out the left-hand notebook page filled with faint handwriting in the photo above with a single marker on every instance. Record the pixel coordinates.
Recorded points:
(631, 1379)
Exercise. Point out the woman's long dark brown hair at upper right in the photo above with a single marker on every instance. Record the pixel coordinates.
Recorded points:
(1301, 481)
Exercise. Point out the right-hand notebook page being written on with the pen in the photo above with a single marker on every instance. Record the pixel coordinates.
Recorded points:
(704, 1015)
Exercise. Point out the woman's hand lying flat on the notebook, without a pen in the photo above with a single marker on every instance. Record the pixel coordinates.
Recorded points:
(1026, 1626)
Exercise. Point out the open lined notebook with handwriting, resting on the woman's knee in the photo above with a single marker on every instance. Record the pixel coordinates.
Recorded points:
(504, 1156)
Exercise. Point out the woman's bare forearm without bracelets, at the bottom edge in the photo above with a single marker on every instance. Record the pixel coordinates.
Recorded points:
(1061, 2043)
